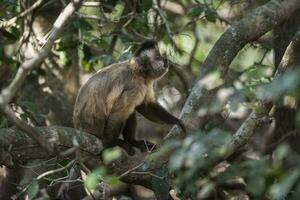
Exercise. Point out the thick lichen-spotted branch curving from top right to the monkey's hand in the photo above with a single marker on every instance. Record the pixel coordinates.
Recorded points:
(249, 28)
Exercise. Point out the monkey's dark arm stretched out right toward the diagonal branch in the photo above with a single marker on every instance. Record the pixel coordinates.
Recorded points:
(156, 113)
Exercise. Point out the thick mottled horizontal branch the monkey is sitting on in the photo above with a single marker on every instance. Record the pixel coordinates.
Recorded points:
(15, 145)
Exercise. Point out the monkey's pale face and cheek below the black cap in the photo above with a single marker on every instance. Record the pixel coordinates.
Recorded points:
(153, 64)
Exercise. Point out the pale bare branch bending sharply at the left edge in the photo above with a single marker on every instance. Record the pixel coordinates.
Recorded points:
(8, 93)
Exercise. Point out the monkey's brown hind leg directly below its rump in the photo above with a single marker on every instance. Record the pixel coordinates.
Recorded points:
(112, 131)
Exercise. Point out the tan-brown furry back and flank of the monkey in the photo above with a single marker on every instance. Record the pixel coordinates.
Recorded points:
(108, 98)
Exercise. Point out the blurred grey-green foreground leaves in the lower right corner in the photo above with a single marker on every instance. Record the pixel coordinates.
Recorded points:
(193, 163)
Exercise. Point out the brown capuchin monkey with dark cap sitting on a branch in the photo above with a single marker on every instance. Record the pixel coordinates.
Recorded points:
(106, 105)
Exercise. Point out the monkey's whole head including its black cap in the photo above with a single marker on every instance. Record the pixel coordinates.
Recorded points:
(151, 64)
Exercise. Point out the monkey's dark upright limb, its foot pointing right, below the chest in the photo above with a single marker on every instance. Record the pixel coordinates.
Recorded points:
(129, 134)
